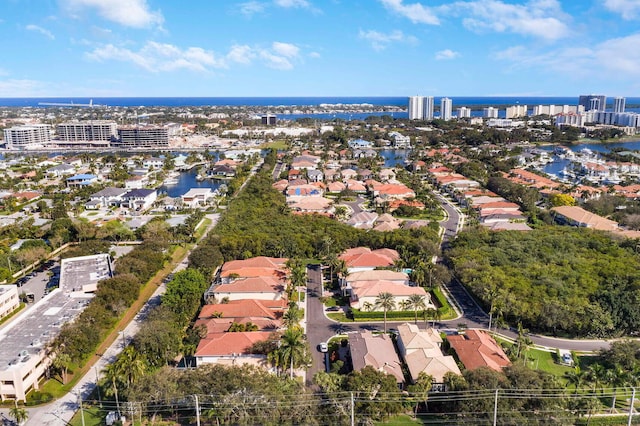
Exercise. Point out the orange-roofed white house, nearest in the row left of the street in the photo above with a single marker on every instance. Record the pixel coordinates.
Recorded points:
(231, 349)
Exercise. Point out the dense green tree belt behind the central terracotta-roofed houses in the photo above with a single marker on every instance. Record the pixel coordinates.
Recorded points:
(258, 223)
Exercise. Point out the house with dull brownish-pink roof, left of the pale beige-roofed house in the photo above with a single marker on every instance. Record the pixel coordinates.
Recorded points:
(377, 351)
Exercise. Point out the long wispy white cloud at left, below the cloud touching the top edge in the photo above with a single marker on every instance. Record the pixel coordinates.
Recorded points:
(156, 57)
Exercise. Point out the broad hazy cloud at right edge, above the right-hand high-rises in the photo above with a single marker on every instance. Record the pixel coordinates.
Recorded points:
(618, 56)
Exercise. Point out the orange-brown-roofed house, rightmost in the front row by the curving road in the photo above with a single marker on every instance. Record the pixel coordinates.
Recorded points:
(477, 349)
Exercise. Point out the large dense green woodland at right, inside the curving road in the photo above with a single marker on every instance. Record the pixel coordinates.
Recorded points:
(556, 279)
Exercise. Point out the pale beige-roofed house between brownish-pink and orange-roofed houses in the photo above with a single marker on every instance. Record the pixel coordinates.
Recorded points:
(420, 350)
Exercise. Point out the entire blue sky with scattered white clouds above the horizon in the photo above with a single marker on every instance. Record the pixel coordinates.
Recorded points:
(99, 48)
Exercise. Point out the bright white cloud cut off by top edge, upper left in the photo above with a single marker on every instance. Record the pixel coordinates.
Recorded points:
(130, 13)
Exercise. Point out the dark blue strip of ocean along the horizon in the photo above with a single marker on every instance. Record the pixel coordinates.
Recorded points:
(401, 101)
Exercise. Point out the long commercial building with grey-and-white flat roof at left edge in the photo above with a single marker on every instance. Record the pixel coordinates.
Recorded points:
(24, 357)
